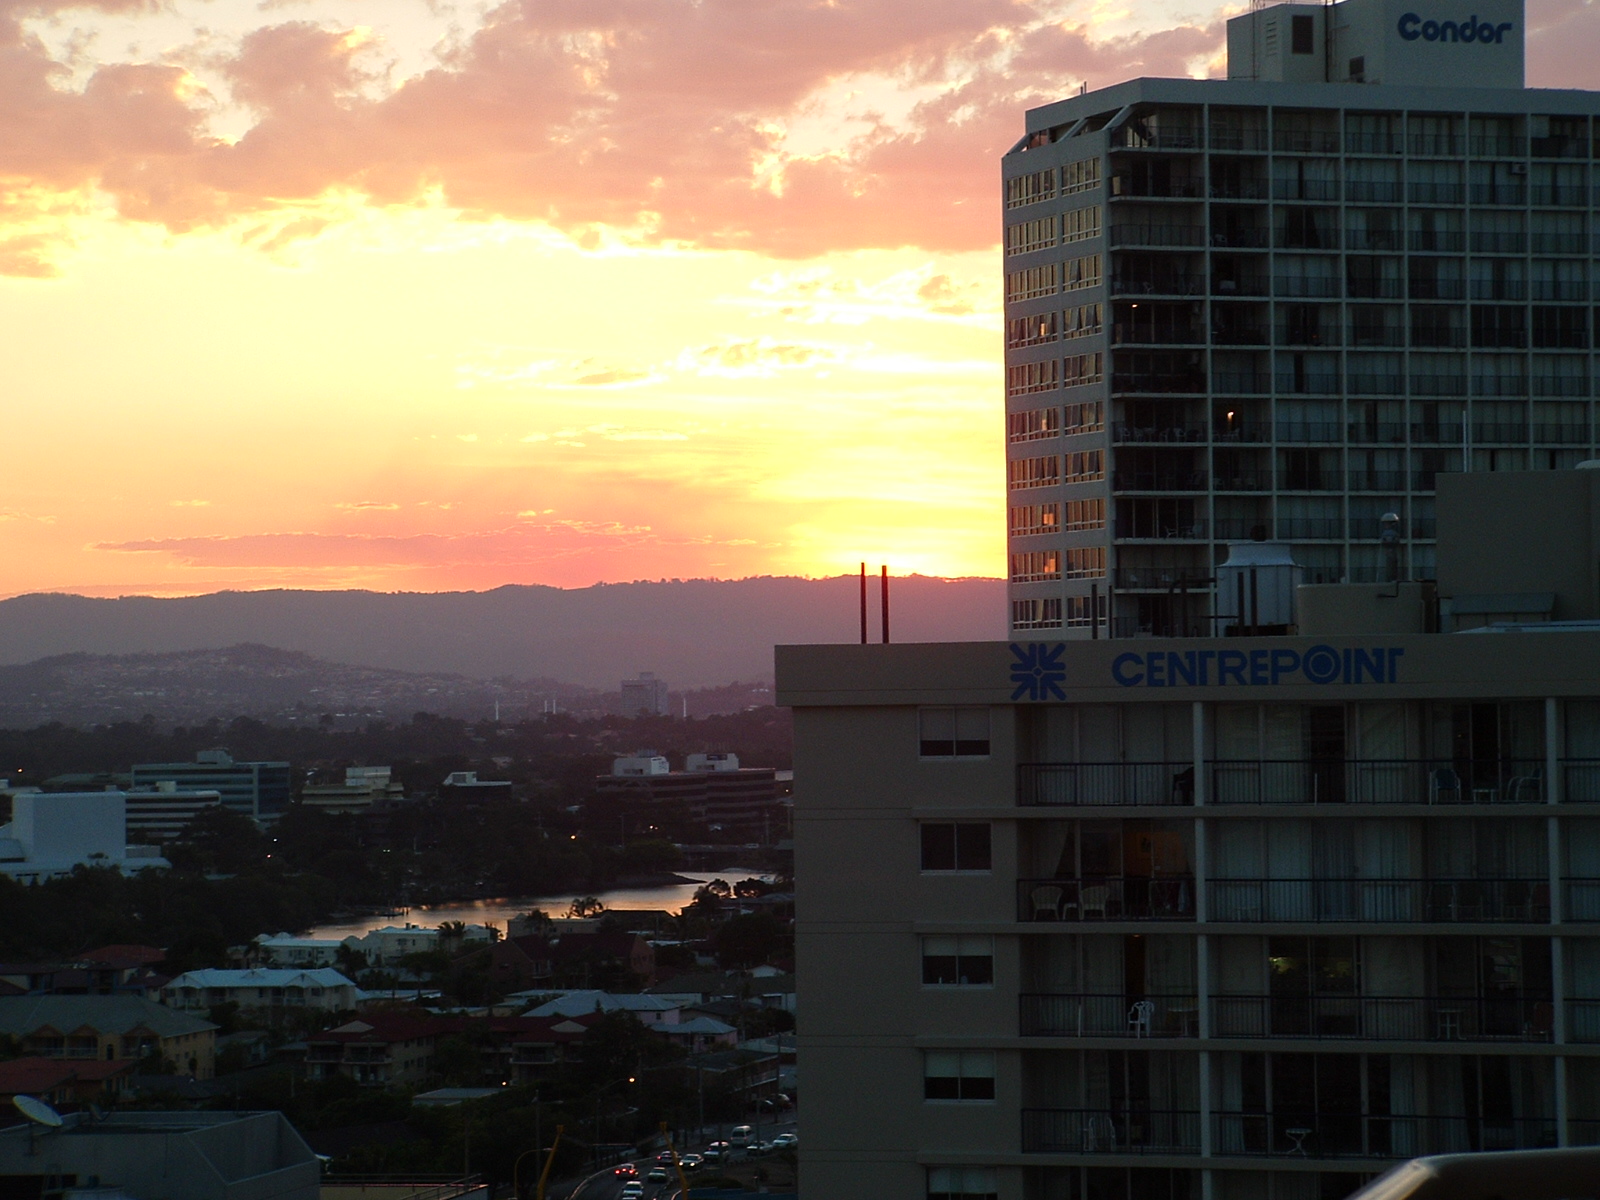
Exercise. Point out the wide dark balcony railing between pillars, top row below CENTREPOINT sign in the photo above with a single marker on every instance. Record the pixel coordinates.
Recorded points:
(1378, 782)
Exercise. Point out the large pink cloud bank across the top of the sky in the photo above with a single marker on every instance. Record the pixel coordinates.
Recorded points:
(649, 114)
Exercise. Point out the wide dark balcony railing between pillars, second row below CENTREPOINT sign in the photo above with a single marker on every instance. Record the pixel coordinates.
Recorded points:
(1382, 900)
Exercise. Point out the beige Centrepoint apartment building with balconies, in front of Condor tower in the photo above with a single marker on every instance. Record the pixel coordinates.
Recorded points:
(1223, 919)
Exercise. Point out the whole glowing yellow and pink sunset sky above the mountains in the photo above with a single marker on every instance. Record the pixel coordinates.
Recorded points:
(428, 295)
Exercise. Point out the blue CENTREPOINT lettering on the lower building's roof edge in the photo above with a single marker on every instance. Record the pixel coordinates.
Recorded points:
(1257, 668)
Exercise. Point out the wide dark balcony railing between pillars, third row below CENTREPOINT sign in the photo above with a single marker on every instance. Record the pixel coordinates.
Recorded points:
(1383, 1018)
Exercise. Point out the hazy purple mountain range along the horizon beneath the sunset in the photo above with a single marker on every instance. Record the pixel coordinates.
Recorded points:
(694, 634)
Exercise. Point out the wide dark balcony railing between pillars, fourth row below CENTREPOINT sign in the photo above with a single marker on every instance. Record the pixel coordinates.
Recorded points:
(1327, 1135)
